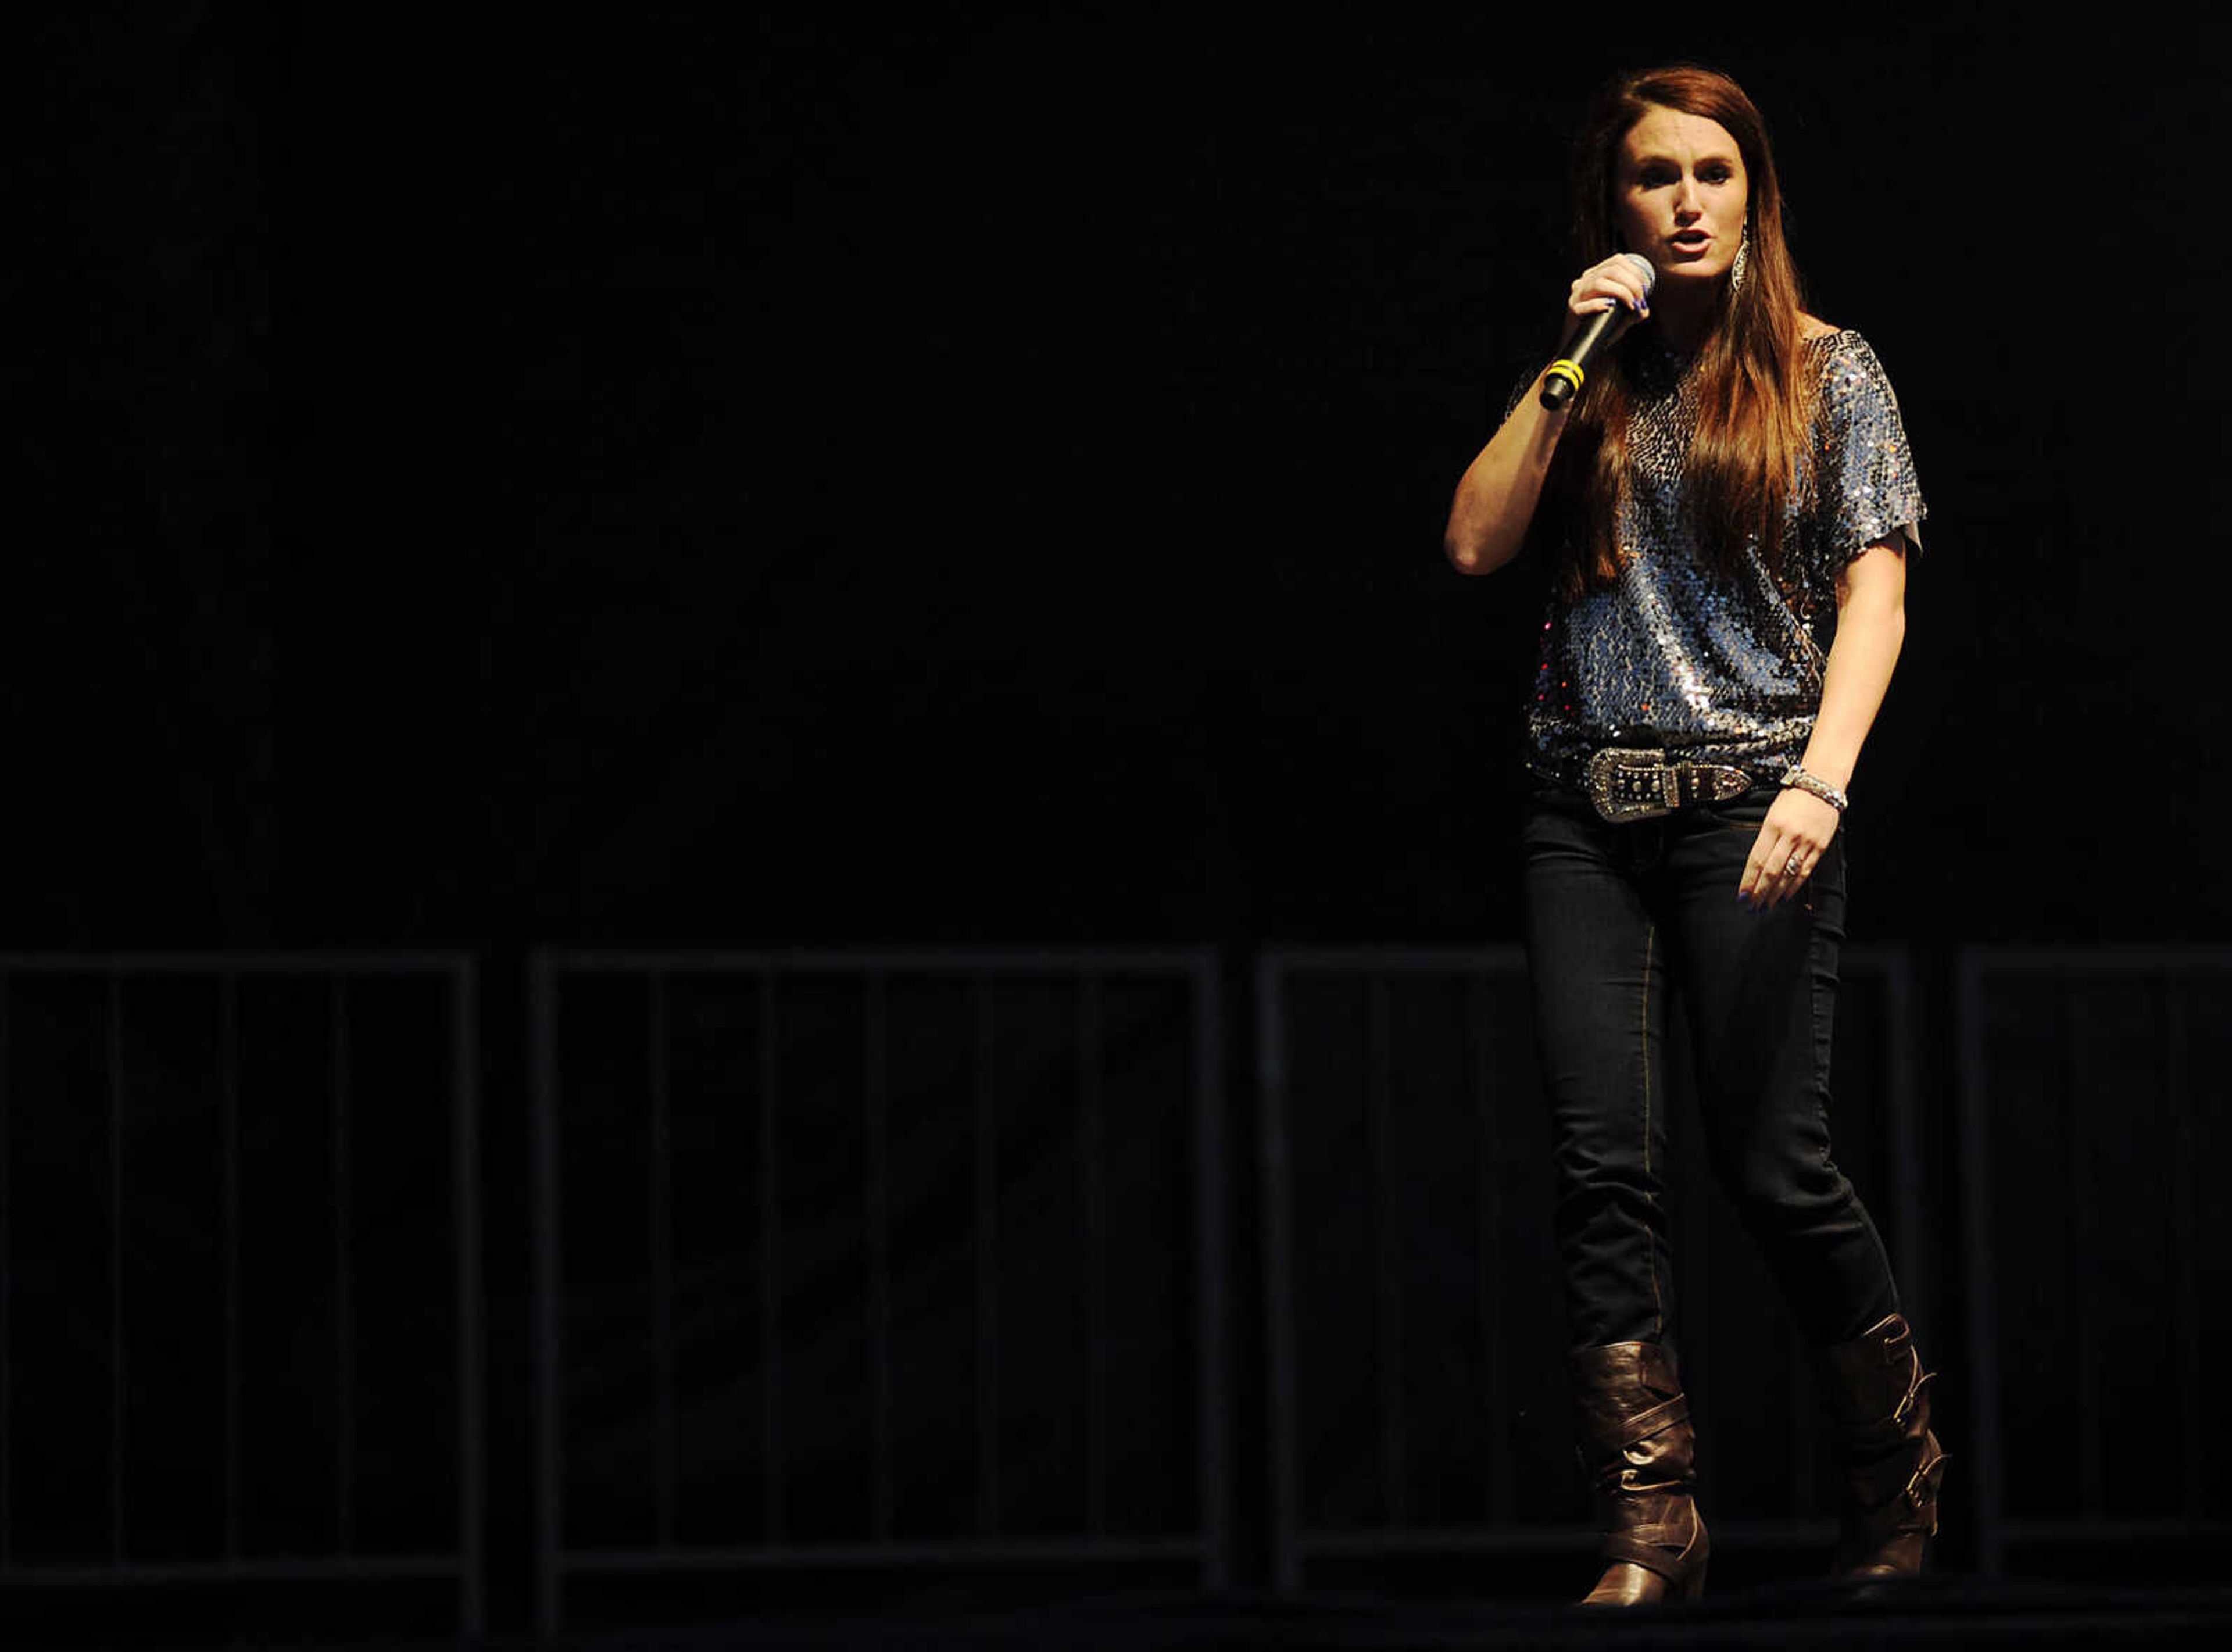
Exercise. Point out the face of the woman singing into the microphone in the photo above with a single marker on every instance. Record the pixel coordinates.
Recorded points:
(1680, 195)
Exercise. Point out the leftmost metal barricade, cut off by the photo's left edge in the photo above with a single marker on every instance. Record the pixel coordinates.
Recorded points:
(240, 1274)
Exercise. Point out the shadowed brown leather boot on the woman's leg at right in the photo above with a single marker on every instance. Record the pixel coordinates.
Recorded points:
(1880, 1399)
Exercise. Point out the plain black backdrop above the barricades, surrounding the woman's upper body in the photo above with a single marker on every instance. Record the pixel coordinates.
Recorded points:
(776, 474)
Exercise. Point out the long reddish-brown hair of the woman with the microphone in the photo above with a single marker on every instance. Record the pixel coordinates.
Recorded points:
(1753, 398)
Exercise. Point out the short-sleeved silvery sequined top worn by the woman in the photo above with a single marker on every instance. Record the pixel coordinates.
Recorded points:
(1724, 669)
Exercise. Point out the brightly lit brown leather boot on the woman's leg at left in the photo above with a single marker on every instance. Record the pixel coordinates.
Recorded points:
(1639, 1450)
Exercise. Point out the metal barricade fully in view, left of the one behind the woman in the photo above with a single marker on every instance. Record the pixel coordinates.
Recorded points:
(876, 1260)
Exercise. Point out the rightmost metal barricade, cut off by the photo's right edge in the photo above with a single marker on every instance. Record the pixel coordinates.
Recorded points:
(2092, 1111)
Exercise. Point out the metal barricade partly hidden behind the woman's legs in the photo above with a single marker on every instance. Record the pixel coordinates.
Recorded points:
(1414, 1309)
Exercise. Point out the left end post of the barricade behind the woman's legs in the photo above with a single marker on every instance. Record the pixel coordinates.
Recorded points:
(1273, 1149)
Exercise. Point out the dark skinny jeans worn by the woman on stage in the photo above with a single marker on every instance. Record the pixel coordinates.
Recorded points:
(1615, 919)
